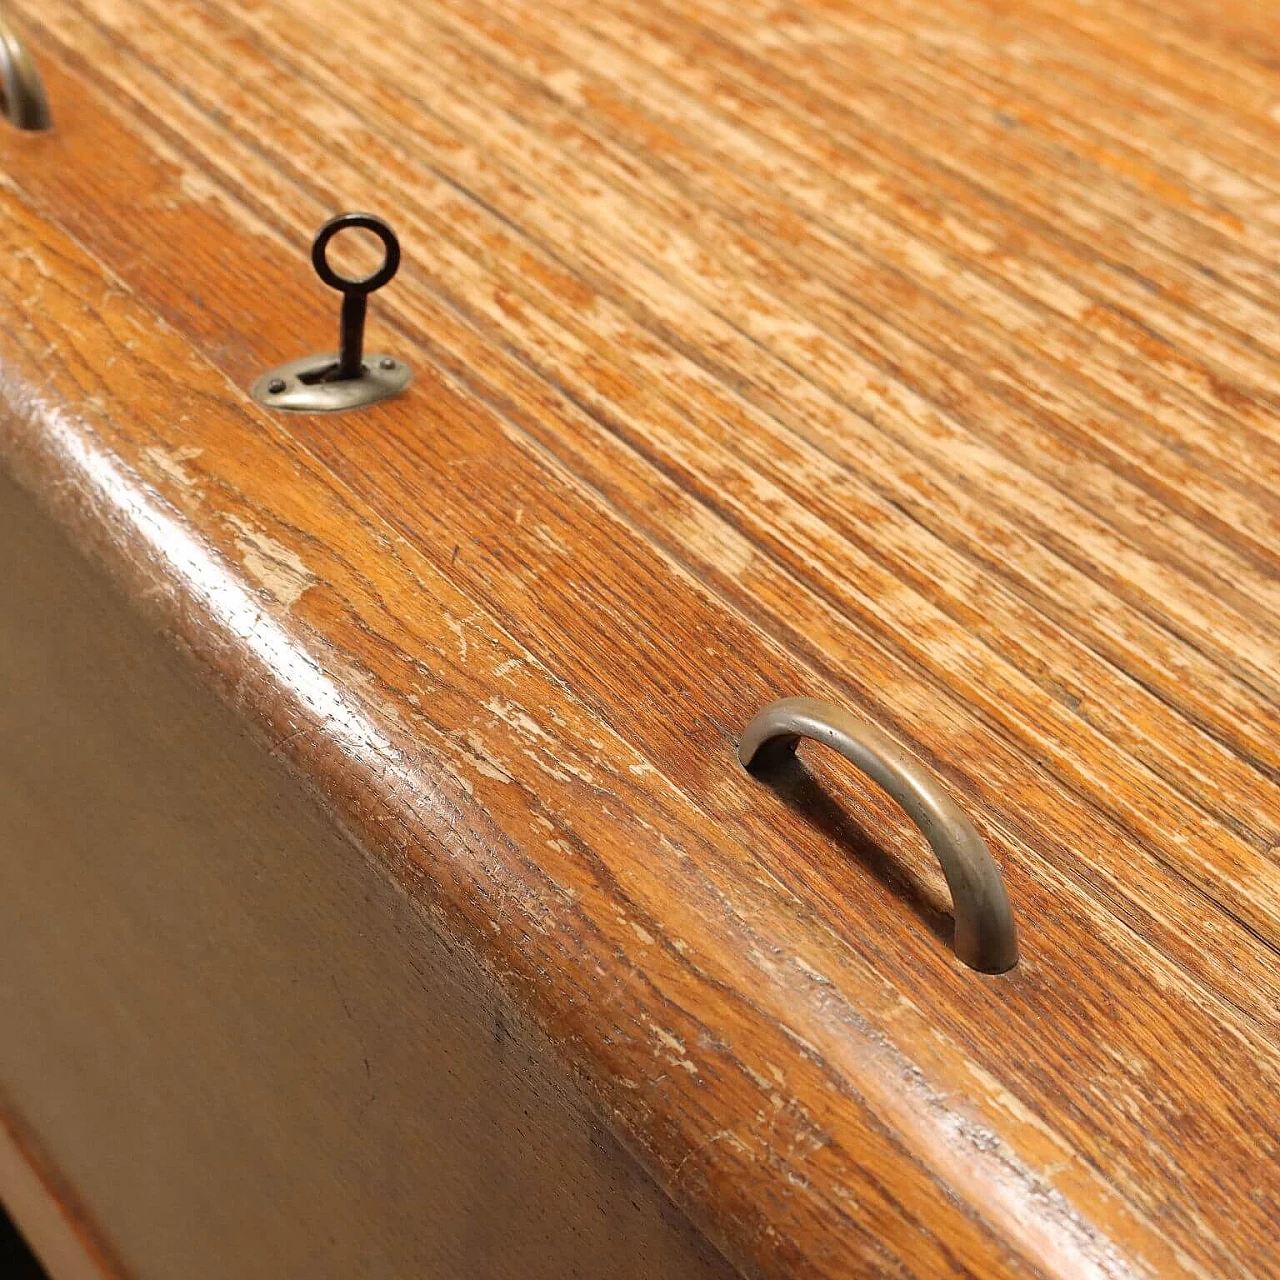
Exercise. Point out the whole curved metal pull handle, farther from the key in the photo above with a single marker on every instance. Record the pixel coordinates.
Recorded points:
(985, 936)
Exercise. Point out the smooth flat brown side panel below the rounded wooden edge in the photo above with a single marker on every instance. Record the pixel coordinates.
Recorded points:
(248, 1055)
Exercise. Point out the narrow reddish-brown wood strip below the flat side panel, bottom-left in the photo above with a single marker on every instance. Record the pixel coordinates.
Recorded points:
(44, 1208)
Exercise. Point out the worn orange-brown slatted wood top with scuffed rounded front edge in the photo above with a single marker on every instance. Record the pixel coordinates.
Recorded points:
(922, 358)
